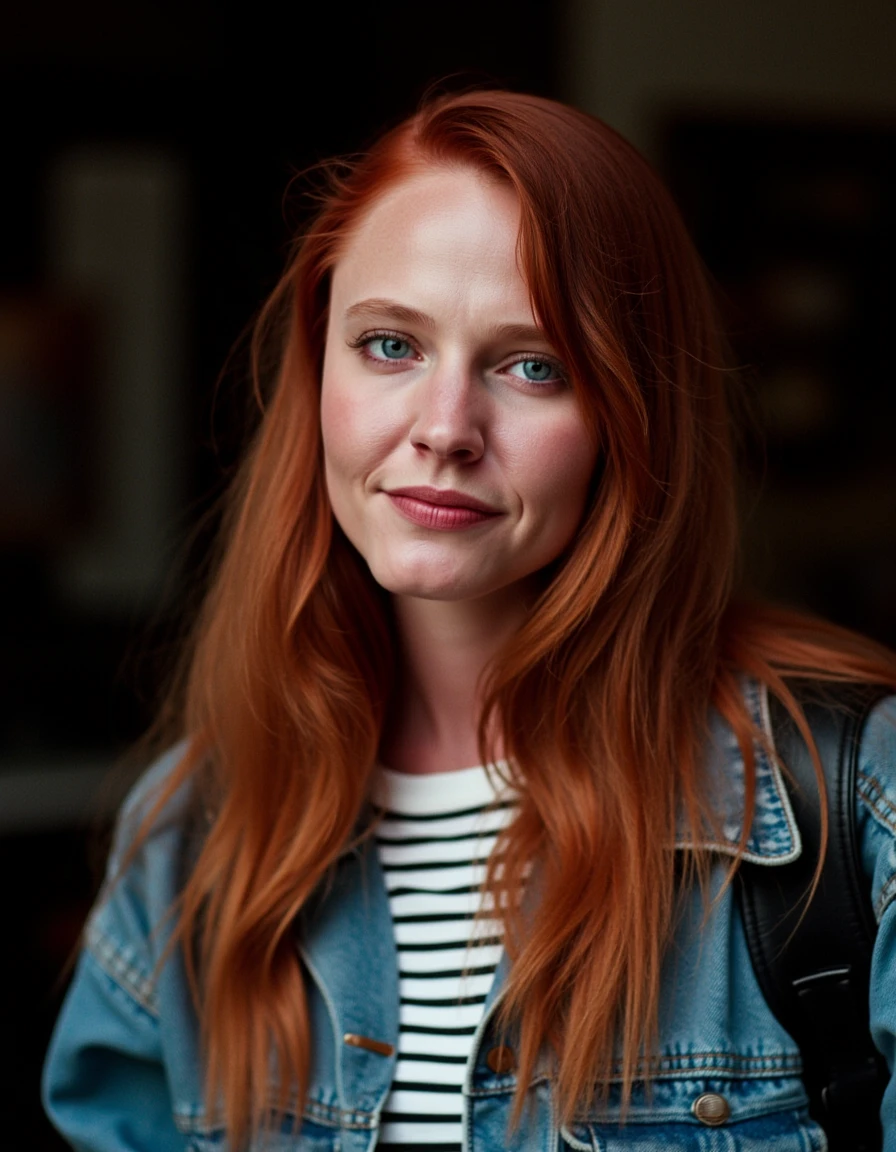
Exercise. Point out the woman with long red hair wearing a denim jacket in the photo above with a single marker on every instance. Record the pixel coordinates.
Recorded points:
(489, 519)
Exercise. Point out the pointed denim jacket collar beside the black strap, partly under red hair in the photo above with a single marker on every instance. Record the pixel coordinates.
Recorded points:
(774, 837)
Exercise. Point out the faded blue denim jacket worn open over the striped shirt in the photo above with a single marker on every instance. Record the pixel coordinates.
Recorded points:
(124, 1071)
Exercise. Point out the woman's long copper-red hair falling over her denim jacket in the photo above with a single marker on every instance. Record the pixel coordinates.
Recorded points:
(602, 698)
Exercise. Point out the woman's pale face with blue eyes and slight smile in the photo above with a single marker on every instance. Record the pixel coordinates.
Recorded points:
(458, 461)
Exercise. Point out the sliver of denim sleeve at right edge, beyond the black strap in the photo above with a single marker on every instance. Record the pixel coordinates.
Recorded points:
(877, 817)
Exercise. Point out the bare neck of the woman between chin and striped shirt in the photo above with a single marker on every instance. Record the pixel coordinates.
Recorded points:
(445, 649)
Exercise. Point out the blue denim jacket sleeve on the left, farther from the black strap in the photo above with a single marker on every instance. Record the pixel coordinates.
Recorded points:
(107, 1078)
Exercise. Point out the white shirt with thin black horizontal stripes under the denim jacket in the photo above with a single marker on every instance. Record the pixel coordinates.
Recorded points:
(434, 842)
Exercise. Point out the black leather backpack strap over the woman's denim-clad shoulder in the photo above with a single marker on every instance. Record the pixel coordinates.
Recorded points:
(813, 960)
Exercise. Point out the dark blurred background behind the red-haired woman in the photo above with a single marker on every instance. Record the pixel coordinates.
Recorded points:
(147, 153)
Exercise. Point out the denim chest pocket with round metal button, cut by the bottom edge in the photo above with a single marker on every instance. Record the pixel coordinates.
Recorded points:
(707, 1117)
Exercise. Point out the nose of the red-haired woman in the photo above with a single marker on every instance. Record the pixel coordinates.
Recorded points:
(450, 419)
